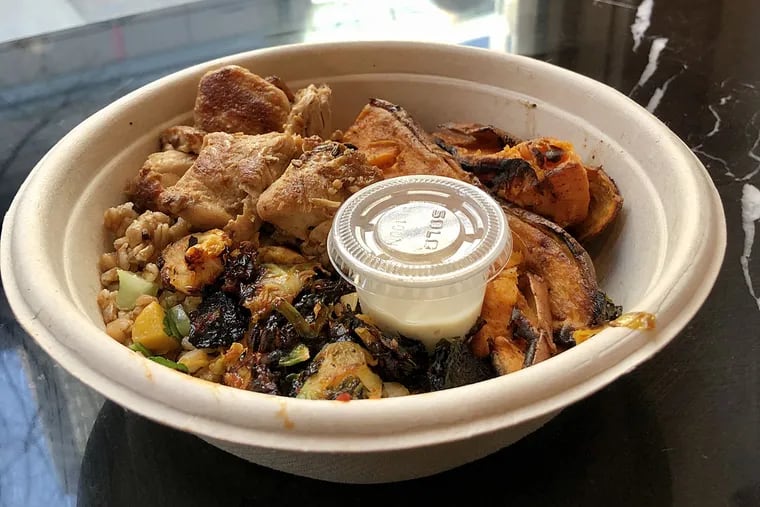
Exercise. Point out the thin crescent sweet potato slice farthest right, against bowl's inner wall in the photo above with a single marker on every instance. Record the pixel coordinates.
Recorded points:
(605, 204)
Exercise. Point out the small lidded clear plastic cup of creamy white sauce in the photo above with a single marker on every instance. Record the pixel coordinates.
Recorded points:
(420, 251)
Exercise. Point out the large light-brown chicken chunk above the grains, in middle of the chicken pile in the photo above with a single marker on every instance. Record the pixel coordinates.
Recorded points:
(229, 168)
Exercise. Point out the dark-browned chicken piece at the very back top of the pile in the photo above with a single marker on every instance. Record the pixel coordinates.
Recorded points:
(233, 99)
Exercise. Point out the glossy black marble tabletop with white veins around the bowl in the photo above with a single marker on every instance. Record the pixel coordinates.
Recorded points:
(682, 429)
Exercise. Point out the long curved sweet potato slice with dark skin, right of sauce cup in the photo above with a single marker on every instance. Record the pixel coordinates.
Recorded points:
(550, 252)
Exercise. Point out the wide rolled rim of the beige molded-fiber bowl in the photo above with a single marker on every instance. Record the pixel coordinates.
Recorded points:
(362, 425)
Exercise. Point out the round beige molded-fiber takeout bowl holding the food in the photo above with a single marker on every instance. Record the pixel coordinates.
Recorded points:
(662, 256)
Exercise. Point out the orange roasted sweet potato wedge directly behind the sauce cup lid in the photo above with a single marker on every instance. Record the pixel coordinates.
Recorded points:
(391, 140)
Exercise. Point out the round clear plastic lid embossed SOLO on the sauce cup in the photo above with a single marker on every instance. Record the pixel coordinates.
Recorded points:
(419, 232)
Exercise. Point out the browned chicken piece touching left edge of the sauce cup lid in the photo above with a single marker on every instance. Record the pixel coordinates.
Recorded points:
(313, 188)
